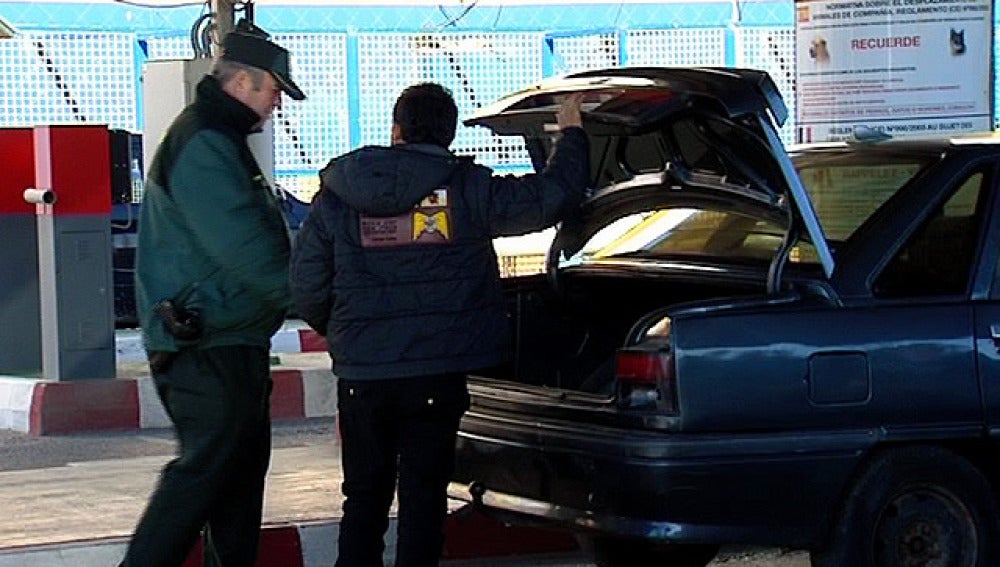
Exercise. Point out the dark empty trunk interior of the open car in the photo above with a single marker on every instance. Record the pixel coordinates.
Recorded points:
(567, 339)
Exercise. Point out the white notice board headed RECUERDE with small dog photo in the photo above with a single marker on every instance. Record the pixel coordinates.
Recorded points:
(898, 67)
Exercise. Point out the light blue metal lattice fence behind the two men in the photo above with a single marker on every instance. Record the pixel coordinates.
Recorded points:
(80, 62)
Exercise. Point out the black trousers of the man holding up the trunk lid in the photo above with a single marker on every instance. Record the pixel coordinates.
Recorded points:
(400, 428)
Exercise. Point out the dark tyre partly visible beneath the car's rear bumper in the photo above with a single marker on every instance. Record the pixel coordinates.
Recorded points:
(611, 551)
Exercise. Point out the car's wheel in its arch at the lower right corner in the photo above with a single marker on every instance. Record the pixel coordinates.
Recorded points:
(916, 506)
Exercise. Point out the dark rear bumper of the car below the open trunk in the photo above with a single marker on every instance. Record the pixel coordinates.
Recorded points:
(775, 489)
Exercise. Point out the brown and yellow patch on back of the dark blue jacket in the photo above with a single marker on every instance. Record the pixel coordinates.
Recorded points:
(430, 222)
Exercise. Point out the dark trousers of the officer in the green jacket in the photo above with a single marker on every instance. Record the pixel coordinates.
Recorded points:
(219, 402)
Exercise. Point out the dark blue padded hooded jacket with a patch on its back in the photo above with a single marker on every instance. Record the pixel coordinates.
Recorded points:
(395, 264)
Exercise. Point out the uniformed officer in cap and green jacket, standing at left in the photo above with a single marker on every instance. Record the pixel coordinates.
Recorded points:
(212, 288)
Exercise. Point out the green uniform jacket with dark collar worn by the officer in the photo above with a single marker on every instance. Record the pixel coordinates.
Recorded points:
(211, 234)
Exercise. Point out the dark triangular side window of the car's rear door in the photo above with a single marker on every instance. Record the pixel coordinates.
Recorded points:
(938, 257)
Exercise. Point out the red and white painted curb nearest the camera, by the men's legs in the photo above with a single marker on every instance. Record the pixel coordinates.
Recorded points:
(468, 535)
